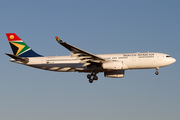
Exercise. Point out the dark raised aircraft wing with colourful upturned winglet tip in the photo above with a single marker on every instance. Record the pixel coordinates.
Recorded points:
(85, 57)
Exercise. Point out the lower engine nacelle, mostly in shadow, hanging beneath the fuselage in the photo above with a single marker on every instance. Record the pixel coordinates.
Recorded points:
(114, 74)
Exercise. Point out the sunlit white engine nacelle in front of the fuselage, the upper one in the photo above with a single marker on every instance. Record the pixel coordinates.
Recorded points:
(112, 65)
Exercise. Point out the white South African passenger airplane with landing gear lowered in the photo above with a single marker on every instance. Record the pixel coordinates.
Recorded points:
(113, 65)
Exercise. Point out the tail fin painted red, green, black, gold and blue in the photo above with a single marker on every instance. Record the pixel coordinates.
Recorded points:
(20, 48)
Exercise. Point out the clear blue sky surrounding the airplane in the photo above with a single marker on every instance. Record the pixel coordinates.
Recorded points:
(97, 26)
